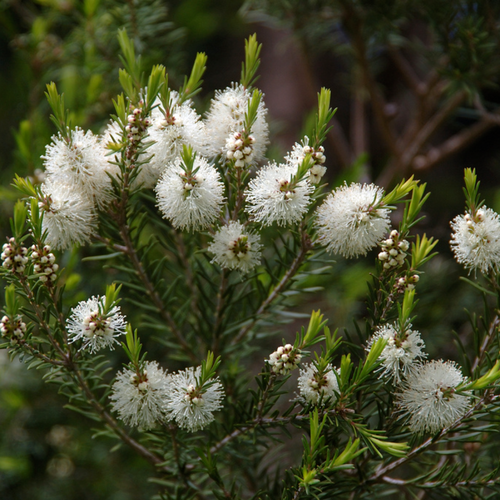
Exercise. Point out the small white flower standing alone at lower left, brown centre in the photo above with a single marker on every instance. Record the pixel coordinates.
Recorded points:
(97, 329)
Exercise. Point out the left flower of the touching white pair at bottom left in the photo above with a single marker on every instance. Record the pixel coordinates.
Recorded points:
(139, 399)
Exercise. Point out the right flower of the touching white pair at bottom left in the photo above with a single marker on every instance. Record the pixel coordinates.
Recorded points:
(190, 407)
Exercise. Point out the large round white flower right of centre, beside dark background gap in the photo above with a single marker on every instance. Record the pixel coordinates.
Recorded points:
(348, 222)
